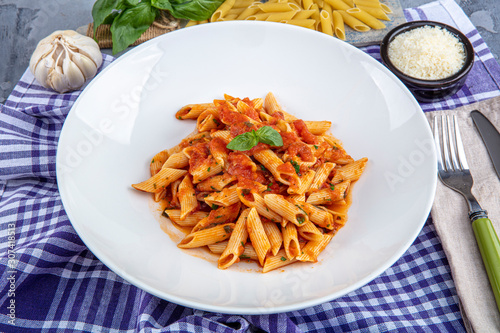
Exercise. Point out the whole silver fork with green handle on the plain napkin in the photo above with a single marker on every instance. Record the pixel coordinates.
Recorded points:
(454, 172)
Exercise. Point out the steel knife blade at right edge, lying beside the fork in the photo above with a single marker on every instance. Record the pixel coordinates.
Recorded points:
(490, 136)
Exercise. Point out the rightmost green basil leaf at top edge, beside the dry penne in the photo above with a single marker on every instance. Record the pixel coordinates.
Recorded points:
(196, 10)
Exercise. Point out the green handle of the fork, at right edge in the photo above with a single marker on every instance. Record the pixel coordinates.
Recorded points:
(489, 246)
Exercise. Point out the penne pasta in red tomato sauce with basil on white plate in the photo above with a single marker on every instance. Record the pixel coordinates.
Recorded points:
(254, 183)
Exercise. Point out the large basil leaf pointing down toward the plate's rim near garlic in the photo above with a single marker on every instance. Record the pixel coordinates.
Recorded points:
(130, 24)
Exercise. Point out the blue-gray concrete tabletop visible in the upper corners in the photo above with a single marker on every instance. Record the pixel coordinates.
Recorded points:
(24, 22)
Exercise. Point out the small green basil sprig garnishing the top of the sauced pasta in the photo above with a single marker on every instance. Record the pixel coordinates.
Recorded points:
(248, 140)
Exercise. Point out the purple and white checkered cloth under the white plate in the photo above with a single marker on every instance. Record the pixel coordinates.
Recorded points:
(51, 282)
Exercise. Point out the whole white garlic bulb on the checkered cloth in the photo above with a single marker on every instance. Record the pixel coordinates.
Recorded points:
(65, 60)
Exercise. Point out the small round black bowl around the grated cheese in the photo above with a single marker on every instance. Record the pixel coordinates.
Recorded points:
(428, 91)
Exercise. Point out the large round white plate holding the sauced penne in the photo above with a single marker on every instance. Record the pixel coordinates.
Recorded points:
(126, 115)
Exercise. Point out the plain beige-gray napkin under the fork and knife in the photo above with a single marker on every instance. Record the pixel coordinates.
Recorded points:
(449, 214)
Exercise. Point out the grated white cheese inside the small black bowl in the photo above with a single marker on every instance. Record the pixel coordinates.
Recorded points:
(429, 53)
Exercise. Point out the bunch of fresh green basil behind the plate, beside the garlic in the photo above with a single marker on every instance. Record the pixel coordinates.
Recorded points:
(130, 18)
